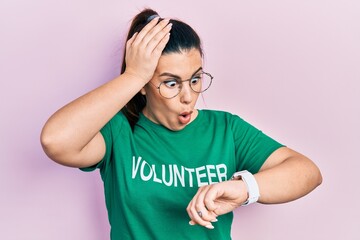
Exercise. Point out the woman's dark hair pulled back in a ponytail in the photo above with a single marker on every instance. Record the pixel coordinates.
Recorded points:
(182, 38)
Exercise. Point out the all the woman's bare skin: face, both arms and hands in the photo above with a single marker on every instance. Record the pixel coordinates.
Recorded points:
(70, 139)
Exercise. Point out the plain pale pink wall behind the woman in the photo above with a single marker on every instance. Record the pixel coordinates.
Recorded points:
(291, 68)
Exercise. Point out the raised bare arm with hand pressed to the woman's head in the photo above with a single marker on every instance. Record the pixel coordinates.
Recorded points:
(72, 136)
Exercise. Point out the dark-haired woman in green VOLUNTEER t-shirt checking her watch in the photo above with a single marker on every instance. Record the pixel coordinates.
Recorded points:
(167, 167)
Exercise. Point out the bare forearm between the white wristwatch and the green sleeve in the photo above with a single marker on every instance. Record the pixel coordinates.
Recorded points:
(285, 176)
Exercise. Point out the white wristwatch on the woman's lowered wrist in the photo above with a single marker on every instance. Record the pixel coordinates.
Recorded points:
(251, 185)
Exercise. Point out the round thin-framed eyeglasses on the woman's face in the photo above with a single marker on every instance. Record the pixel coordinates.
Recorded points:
(199, 83)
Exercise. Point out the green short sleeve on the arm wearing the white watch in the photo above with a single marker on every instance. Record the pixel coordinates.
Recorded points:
(252, 146)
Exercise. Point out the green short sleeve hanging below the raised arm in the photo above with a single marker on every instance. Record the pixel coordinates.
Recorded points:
(110, 132)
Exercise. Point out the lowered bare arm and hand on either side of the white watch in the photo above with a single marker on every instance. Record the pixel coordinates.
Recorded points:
(285, 176)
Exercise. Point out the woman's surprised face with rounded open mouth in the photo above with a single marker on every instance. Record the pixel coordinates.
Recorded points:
(177, 112)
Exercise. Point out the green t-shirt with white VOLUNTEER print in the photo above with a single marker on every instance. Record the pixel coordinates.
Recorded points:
(151, 174)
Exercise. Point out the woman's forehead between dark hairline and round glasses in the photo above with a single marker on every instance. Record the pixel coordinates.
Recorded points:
(182, 64)
